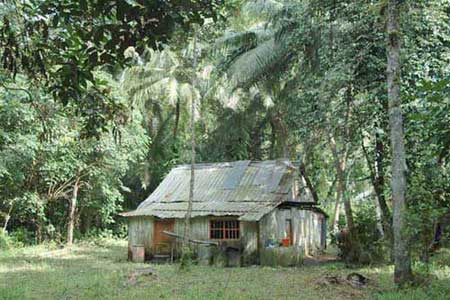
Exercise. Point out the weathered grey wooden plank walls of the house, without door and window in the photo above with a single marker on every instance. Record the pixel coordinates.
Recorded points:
(306, 231)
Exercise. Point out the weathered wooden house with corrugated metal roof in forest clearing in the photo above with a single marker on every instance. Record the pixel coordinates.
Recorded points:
(245, 205)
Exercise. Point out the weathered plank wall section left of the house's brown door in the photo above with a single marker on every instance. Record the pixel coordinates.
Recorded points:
(140, 233)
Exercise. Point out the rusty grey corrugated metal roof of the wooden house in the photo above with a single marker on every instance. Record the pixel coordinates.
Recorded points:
(245, 189)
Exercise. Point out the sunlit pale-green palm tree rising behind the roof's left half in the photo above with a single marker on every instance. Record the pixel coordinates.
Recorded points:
(160, 90)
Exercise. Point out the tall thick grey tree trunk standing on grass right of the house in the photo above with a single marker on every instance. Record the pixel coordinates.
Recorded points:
(402, 260)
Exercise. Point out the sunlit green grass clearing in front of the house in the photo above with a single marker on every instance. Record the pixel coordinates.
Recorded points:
(99, 270)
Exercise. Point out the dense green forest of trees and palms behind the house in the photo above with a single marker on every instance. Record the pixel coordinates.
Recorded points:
(95, 109)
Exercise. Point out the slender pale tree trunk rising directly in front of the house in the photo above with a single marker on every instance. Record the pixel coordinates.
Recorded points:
(187, 219)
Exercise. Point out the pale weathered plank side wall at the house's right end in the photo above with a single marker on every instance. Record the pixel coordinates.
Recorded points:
(306, 228)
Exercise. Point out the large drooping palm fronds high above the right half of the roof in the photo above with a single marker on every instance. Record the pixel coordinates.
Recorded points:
(257, 46)
